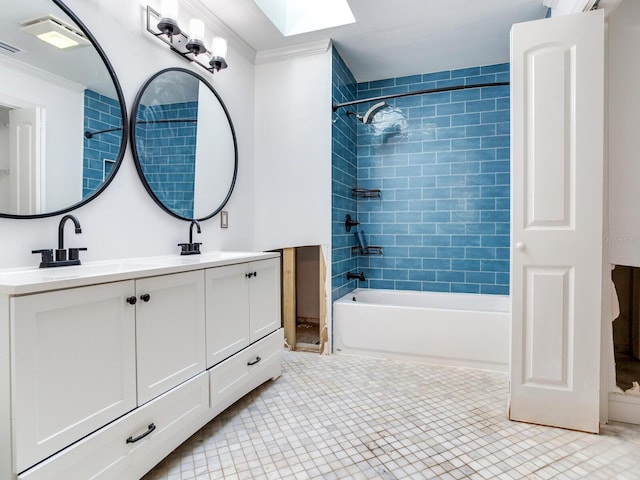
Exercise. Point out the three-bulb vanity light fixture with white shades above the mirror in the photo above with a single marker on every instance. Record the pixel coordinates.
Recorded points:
(191, 45)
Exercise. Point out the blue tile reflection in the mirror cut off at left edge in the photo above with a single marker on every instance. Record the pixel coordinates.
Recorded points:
(100, 151)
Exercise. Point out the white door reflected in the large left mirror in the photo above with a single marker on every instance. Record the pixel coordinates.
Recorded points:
(27, 160)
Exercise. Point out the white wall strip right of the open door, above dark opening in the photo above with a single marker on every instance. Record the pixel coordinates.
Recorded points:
(624, 134)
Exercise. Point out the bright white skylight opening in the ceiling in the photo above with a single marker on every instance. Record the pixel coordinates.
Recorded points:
(300, 16)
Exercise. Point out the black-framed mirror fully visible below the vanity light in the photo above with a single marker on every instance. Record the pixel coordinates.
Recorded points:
(184, 144)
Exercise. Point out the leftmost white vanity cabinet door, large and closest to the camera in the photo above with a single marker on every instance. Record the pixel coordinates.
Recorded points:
(73, 366)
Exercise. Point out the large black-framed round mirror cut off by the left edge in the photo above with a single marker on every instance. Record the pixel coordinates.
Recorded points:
(63, 119)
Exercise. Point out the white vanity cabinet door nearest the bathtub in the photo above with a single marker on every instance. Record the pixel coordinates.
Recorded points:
(264, 298)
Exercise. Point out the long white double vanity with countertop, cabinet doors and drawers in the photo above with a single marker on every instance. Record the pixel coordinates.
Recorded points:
(105, 368)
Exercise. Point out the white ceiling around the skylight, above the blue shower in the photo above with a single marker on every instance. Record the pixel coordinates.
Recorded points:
(394, 38)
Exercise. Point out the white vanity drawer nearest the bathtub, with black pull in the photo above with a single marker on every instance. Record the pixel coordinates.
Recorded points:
(238, 375)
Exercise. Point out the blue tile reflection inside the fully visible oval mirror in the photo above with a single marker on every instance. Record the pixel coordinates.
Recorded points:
(166, 145)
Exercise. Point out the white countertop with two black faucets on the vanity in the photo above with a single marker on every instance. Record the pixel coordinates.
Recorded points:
(31, 280)
